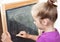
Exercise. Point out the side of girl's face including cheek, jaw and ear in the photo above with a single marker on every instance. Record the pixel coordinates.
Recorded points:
(42, 23)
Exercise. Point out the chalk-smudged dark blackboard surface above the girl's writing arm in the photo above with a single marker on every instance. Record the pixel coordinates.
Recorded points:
(20, 19)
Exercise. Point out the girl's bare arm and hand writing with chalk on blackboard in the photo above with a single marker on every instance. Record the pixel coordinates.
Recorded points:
(29, 36)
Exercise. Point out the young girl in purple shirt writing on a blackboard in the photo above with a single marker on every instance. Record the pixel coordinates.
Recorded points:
(44, 15)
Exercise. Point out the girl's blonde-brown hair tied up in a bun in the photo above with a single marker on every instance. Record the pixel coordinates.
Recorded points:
(45, 10)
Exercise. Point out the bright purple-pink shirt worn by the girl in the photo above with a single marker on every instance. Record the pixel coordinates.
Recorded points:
(49, 37)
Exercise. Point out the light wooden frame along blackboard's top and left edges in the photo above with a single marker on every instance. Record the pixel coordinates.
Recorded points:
(10, 6)
